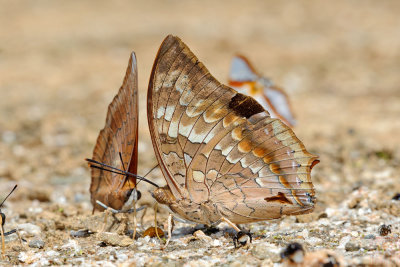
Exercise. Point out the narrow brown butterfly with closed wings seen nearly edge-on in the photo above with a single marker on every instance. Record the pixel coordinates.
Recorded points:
(119, 135)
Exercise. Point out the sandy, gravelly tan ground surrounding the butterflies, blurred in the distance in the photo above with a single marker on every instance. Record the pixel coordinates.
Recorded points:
(61, 62)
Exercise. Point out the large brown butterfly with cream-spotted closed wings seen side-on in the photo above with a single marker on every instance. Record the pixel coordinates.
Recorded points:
(221, 153)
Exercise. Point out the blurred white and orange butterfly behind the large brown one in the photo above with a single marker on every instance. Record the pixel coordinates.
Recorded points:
(245, 79)
